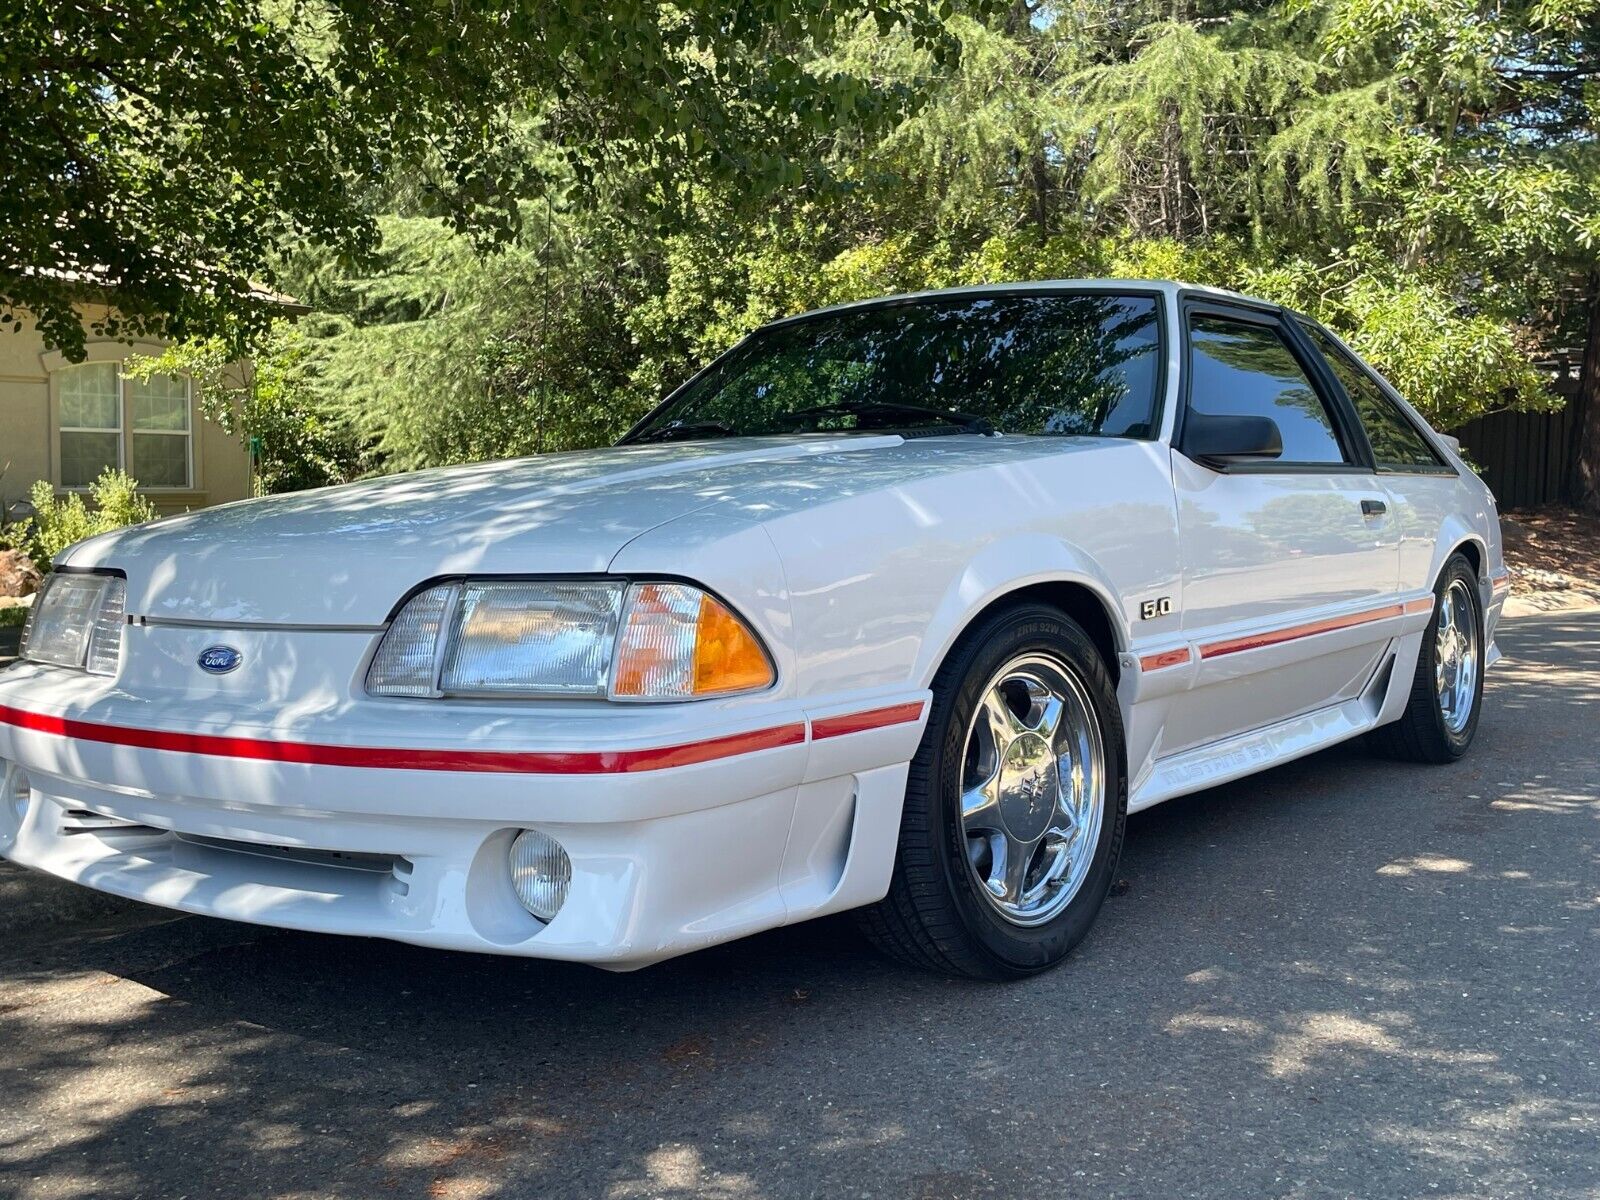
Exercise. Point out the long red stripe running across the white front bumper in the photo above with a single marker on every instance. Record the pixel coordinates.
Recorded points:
(500, 762)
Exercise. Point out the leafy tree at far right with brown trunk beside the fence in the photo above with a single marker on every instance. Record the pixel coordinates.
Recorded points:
(1490, 174)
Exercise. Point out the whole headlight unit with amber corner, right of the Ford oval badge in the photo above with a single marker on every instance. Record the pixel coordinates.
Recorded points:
(602, 639)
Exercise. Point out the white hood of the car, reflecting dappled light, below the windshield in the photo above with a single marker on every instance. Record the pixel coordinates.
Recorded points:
(346, 556)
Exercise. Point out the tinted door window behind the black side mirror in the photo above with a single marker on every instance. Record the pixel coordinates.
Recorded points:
(1241, 369)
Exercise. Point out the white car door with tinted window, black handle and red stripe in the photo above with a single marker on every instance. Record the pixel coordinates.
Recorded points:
(1290, 567)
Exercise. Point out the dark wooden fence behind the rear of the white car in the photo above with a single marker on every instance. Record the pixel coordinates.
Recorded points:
(1529, 458)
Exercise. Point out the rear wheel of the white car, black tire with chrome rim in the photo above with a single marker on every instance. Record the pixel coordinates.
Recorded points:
(1447, 690)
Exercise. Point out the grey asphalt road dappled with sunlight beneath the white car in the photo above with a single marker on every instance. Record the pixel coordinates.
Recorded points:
(1343, 978)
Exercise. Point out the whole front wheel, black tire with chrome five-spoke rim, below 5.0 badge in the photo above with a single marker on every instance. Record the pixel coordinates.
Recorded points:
(1015, 806)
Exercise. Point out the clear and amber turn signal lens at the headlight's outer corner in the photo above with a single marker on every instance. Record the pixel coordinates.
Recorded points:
(678, 642)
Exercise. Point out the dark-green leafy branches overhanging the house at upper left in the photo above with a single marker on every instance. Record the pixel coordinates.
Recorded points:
(172, 150)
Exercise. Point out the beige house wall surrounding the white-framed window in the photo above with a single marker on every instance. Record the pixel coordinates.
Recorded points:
(28, 426)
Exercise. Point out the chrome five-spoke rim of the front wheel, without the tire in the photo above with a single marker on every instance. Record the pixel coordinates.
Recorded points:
(1033, 790)
